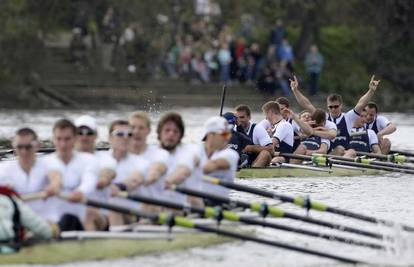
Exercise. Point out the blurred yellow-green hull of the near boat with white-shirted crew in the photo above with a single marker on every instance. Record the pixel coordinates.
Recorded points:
(86, 249)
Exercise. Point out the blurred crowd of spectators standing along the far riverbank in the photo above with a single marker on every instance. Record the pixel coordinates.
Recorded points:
(204, 51)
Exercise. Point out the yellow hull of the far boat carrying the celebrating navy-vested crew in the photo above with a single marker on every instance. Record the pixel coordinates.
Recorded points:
(282, 172)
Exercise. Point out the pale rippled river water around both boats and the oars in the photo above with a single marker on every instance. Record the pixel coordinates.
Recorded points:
(389, 196)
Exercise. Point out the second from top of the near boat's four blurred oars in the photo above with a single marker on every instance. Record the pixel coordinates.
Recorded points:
(265, 210)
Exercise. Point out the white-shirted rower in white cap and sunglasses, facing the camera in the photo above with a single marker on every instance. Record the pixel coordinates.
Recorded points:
(87, 132)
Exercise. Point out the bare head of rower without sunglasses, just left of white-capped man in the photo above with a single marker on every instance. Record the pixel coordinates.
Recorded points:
(64, 137)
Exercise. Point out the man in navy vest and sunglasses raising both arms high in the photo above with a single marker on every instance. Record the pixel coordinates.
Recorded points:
(343, 121)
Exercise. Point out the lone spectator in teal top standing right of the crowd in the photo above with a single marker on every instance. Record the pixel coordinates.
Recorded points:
(313, 64)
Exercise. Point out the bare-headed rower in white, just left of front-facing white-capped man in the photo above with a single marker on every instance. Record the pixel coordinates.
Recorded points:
(77, 174)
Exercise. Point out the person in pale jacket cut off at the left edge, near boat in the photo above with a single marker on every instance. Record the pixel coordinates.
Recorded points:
(15, 218)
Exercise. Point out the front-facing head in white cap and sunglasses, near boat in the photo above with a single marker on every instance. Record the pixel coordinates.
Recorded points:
(86, 129)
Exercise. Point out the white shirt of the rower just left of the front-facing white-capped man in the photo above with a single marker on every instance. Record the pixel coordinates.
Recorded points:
(81, 173)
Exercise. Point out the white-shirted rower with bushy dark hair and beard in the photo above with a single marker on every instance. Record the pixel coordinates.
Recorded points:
(183, 159)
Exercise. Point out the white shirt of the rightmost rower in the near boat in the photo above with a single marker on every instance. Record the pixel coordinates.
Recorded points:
(232, 157)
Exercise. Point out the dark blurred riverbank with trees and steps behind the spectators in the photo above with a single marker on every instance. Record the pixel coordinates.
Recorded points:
(362, 39)
